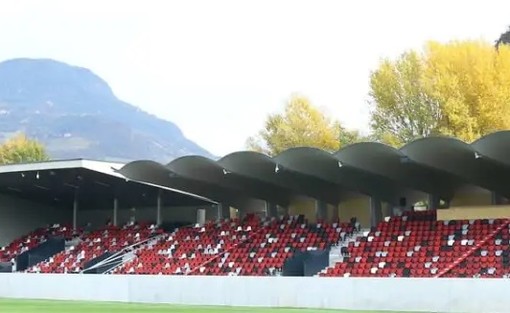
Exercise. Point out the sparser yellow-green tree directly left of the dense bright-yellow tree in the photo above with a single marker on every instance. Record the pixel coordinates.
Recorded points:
(402, 111)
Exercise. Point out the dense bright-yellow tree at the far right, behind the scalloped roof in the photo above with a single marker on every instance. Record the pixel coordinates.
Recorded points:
(471, 81)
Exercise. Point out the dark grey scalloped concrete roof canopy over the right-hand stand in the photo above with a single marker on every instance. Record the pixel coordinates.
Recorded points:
(436, 165)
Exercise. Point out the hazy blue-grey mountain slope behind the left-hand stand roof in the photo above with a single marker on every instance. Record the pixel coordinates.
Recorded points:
(76, 115)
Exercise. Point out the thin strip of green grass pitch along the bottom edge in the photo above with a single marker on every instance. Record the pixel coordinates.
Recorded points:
(36, 306)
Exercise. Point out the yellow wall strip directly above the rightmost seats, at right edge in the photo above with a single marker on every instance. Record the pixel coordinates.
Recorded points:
(474, 212)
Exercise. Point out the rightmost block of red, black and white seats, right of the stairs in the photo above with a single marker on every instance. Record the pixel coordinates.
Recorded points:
(416, 245)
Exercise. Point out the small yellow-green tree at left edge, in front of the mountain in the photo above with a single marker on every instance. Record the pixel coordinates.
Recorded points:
(21, 149)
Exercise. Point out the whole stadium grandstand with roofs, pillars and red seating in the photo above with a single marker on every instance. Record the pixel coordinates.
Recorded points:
(436, 208)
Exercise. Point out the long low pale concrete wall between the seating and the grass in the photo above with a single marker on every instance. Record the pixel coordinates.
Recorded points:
(427, 295)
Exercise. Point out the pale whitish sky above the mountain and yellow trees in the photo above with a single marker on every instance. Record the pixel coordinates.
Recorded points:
(218, 68)
